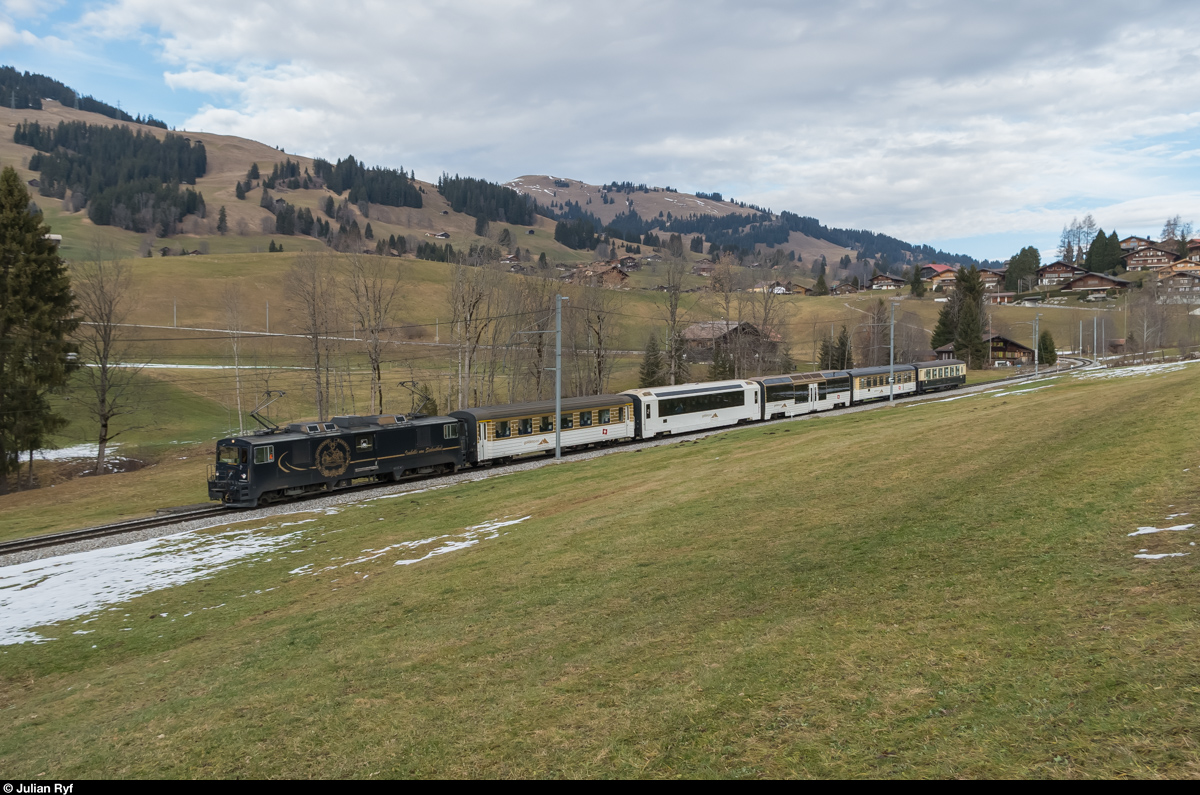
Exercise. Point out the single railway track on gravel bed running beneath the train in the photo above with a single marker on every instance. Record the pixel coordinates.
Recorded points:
(149, 523)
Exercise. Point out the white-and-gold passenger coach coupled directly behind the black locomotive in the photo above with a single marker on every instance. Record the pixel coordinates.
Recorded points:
(501, 433)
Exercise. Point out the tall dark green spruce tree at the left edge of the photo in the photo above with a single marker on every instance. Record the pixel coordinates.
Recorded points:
(37, 320)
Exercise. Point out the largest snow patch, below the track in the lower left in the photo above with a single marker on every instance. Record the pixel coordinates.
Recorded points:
(59, 589)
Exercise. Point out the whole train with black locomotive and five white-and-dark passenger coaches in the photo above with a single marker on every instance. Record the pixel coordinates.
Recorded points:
(320, 457)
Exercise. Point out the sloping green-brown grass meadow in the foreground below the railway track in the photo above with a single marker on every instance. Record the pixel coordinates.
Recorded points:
(934, 591)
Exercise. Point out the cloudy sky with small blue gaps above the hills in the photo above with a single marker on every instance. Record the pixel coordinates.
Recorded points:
(979, 128)
